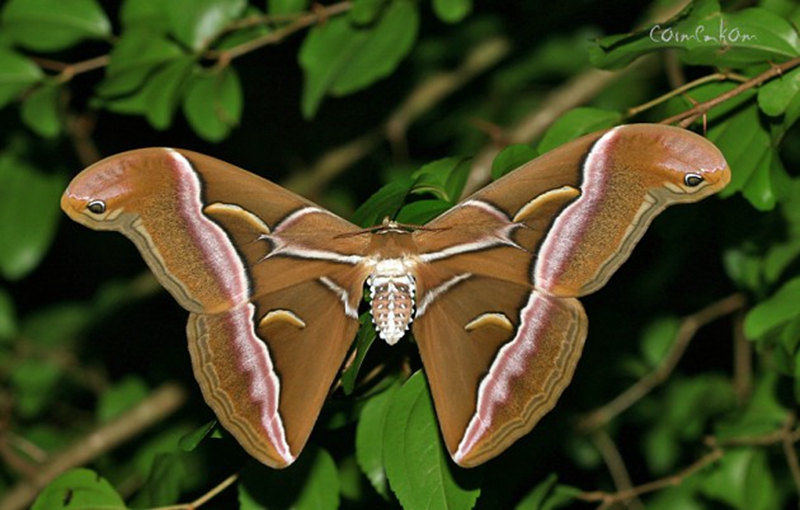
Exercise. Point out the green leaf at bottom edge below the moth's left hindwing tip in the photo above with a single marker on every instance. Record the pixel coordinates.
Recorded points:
(311, 483)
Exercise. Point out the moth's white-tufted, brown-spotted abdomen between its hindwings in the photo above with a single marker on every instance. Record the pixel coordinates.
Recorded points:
(392, 298)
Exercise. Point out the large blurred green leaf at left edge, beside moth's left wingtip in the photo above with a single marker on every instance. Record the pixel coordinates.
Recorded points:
(27, 238)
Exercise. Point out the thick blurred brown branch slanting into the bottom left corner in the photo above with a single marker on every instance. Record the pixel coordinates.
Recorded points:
(161, 403)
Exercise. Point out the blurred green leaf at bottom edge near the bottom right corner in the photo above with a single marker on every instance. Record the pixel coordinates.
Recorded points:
(742, 479)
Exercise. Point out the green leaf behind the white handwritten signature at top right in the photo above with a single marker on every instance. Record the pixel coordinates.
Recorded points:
(706, 36)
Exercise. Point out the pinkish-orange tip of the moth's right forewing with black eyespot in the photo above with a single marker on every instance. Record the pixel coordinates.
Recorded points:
(688, 166)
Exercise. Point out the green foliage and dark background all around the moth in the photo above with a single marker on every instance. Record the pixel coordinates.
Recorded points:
(277, 86)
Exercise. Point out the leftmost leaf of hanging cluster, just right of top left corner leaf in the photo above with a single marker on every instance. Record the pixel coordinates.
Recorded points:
(136, 55)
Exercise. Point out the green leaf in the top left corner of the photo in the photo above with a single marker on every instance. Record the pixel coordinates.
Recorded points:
(53, 25)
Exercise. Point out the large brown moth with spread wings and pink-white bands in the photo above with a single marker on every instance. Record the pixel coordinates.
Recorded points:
(273, 283)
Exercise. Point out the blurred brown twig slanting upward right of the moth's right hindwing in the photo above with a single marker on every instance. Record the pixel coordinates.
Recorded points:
(688, 328)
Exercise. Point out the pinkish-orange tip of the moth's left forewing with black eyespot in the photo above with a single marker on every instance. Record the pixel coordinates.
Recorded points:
(101, 195)
